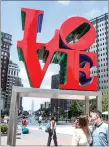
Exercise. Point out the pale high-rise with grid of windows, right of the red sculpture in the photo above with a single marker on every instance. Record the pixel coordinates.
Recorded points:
(101, 48)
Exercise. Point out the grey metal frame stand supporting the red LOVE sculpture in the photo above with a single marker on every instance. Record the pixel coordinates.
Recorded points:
(18, 92)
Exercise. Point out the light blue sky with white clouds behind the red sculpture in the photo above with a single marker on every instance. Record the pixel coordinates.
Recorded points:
(55, 13)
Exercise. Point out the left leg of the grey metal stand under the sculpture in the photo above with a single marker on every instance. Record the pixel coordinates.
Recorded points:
(12, 128)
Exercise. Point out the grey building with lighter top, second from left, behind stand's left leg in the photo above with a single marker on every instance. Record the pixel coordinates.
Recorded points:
(12, 79)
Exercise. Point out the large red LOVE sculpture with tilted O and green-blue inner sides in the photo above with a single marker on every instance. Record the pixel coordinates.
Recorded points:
(75, 62)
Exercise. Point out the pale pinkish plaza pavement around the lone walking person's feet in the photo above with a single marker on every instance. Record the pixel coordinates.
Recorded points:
(39, 138)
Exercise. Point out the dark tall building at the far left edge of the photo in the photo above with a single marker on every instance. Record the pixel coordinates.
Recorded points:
(6, 40)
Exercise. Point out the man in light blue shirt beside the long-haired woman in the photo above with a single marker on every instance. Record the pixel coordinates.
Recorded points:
(99, 130)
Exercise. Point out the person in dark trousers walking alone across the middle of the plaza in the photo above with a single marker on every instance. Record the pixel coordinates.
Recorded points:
(52, 132)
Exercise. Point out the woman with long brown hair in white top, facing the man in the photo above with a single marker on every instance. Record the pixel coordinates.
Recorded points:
(82, 134)
